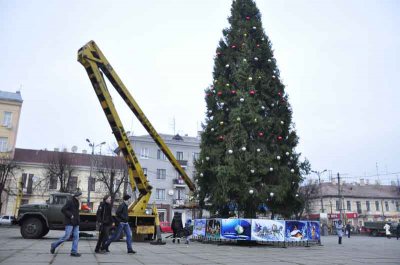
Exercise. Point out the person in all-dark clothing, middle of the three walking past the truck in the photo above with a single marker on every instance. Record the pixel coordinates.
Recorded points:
(104, 219)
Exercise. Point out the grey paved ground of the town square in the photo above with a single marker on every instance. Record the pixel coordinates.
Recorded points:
(356, 250)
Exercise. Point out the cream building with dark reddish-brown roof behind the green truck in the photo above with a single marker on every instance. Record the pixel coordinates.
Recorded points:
(33, 171)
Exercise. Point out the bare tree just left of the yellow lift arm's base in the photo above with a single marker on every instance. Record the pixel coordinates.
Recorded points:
(112, 173)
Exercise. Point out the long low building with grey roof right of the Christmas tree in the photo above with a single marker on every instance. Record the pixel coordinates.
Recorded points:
(357, 203)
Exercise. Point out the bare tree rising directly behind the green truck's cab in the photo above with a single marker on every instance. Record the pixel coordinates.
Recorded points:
(61, 167)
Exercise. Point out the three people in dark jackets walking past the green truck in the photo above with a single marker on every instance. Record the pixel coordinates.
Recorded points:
(105, 221)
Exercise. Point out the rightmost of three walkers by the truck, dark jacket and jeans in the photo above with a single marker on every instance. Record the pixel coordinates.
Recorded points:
(122, 218)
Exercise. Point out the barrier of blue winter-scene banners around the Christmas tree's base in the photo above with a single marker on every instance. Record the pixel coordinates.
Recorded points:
(257, 230)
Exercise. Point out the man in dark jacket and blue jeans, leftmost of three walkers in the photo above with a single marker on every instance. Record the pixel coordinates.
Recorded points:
(71, 221)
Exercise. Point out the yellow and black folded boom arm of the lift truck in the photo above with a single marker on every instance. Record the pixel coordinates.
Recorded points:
(96, 65)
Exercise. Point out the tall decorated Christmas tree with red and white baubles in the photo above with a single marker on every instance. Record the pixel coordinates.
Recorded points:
(248, 162)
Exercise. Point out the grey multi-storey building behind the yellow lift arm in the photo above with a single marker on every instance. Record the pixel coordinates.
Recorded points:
(170, 193)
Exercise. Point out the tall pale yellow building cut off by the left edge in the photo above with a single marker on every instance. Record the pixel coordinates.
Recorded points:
(10, 111)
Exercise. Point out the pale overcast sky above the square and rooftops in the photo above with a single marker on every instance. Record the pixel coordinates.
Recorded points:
(339, 60)
